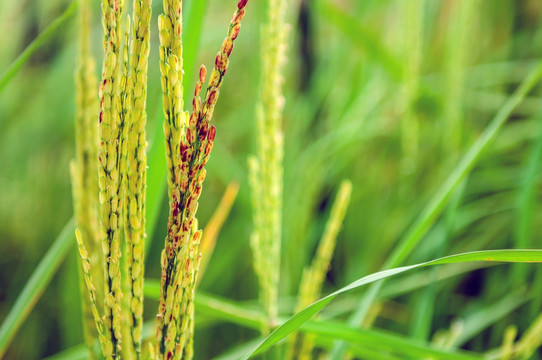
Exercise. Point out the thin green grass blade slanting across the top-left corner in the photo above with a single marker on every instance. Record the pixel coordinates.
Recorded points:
(36, 44)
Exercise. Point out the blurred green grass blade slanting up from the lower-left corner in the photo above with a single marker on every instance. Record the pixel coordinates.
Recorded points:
(36, 285)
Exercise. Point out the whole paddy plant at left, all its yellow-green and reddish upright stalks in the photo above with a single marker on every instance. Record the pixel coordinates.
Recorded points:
(120, 156)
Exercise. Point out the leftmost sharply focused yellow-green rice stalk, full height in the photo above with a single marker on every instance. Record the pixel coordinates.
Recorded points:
(111, 123)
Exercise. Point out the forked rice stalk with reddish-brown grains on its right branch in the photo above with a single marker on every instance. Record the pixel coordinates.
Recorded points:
(188, 140)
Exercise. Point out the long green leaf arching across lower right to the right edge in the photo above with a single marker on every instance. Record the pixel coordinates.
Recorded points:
(304, 315)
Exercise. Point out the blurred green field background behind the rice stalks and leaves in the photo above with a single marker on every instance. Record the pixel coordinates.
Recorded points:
(386, 93)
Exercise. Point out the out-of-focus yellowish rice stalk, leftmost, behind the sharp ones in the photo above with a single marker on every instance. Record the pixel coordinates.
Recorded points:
(84, 167)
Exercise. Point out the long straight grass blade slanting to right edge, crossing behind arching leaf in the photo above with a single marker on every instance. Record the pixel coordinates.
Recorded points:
(438, 202)
